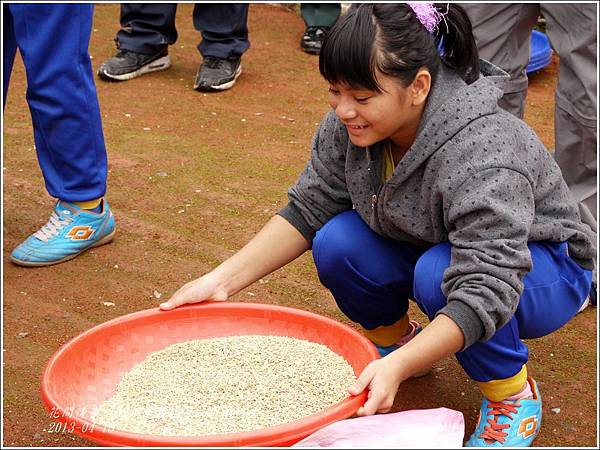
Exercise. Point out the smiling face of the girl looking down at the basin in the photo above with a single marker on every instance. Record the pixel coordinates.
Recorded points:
(372, 116)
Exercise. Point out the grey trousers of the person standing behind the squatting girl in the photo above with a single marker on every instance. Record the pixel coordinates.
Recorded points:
(503, 33)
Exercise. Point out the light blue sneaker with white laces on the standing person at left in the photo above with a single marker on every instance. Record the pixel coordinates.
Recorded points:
(69, 232)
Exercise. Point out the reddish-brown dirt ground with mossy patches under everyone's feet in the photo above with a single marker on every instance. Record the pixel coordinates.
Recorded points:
(192, 178)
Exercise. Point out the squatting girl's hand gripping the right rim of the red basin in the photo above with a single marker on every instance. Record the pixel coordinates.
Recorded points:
(382, 378)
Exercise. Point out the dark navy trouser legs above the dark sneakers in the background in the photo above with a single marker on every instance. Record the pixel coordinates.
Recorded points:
(149, 27)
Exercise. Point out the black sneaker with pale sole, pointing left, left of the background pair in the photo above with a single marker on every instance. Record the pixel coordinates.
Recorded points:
(126, 65)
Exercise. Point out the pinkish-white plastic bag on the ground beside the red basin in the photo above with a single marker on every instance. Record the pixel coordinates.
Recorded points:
(420, 428)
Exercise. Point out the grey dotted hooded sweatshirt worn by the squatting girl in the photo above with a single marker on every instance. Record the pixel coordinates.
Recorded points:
(476, 177)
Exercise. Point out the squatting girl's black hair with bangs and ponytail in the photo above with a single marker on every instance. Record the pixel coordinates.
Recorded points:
(388, 38)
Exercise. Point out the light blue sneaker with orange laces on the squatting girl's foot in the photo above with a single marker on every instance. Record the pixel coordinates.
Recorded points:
(513, 423)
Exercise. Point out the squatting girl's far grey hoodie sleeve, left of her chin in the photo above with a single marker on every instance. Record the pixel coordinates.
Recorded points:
(320, 192)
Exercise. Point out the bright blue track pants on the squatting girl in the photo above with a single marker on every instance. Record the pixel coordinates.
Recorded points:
(372, 278)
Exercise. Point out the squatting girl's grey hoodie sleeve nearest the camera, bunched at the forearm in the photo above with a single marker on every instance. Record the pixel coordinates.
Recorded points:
(489, 219)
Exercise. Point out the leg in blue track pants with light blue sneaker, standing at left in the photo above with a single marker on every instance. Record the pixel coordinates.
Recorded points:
(53, 40)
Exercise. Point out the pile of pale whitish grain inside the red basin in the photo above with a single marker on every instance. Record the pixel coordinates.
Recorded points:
(226, 385)
